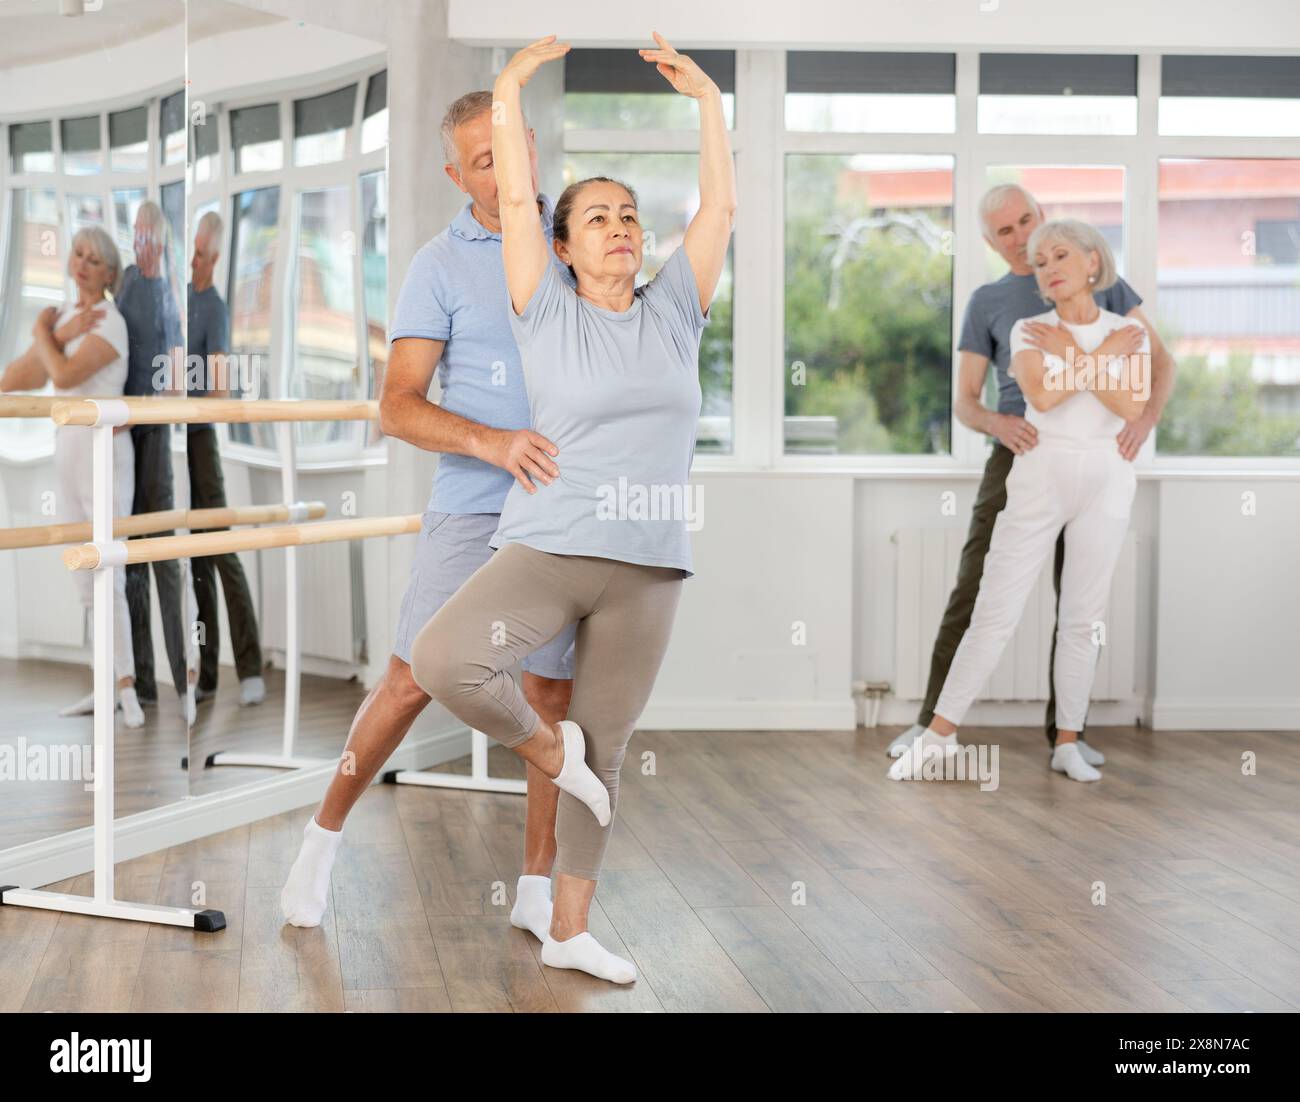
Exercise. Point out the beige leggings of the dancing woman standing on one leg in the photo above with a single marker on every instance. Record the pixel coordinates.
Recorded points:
(515, 602)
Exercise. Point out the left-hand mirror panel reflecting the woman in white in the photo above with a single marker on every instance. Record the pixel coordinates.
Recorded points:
(92, 215)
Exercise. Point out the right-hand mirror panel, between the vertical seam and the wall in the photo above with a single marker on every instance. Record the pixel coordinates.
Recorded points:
(288, 250)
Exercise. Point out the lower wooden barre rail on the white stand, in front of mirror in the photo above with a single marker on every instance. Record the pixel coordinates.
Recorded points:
(88, 558)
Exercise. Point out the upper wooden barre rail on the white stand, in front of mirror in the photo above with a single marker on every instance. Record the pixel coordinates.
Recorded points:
(185, 411)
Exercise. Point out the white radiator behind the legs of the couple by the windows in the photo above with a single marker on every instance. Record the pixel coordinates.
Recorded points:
(928, 562)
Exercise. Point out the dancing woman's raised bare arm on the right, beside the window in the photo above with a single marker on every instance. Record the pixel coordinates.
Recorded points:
(712, 228)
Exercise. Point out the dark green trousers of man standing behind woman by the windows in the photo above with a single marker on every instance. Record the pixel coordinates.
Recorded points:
(990, 502)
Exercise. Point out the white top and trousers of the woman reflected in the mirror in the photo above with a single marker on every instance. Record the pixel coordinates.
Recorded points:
(75, 468)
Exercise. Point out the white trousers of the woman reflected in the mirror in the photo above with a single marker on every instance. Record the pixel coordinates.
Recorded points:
(75, 470)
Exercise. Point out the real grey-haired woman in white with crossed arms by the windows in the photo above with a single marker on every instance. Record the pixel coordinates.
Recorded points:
(1076, 365)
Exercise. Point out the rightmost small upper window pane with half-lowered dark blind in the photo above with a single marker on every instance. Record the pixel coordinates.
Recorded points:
(1232, 97)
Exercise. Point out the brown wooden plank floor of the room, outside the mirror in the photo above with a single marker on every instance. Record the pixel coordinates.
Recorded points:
(751, 873)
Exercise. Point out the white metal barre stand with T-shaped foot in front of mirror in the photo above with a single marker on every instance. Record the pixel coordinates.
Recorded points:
(112, 557)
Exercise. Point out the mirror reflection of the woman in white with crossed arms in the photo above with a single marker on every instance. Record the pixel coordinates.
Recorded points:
(83, 350)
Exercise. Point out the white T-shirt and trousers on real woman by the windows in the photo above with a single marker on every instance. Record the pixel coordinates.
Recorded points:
(1074, 478)
